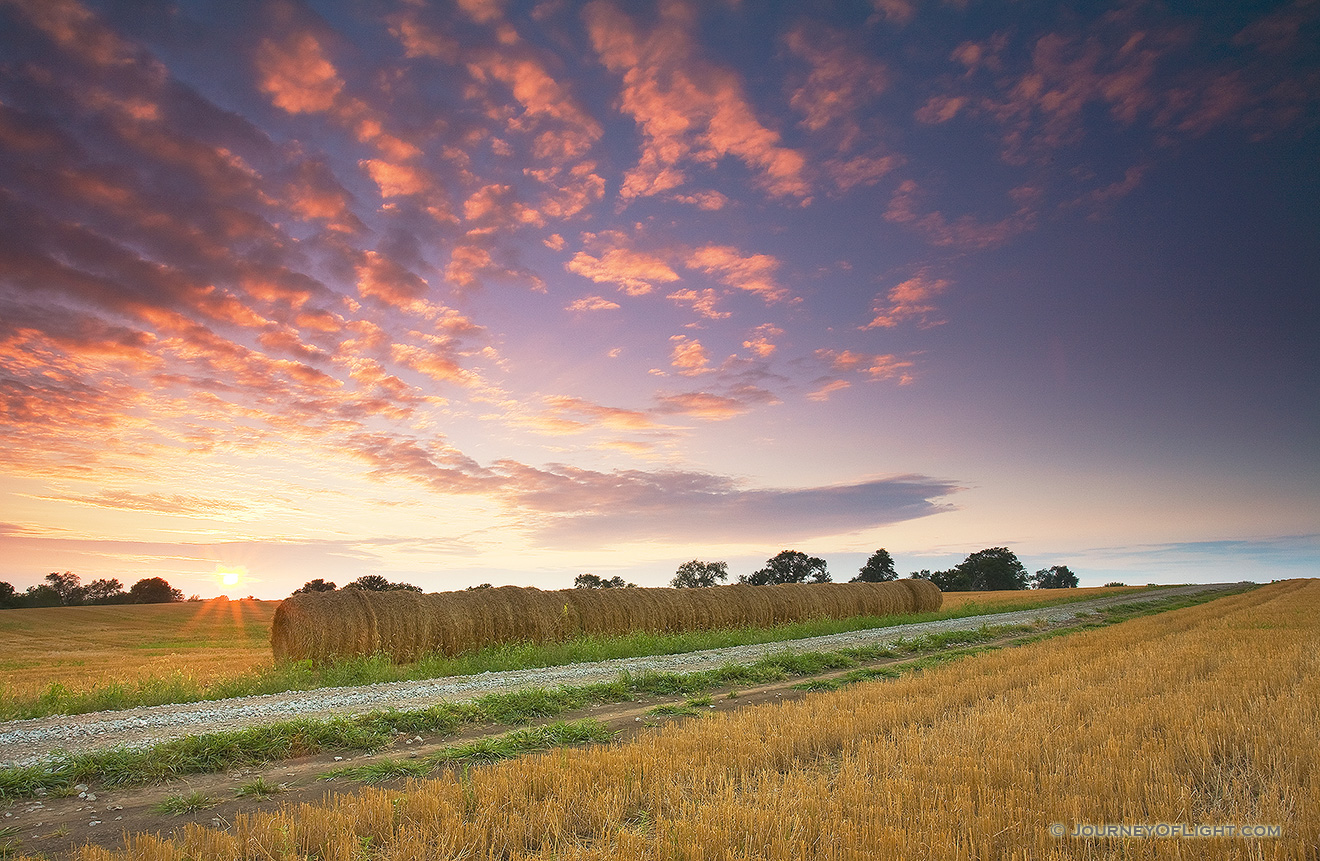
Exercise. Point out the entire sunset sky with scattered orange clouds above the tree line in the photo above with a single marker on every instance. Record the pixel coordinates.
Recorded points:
(508, 293)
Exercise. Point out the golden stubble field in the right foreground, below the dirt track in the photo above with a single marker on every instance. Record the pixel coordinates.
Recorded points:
(1194, 719)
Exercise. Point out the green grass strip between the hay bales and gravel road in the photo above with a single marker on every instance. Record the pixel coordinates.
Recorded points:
(307, 677)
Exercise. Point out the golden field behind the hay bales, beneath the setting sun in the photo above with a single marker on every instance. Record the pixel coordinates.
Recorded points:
(179, 650)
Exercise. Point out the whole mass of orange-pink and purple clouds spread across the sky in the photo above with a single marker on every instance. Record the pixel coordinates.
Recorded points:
(286, 258)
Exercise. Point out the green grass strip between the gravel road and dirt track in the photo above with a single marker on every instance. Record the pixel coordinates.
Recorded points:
(218, 752)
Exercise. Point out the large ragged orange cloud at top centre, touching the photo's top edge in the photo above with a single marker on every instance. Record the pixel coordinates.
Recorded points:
(690, 110)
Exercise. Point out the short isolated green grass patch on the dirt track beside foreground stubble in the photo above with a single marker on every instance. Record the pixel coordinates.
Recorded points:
(508, 747)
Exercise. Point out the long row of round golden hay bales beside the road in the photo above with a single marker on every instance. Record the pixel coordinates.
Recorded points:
(407, 625)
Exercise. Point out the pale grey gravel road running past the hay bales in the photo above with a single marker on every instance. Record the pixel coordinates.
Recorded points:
(26, 743)
